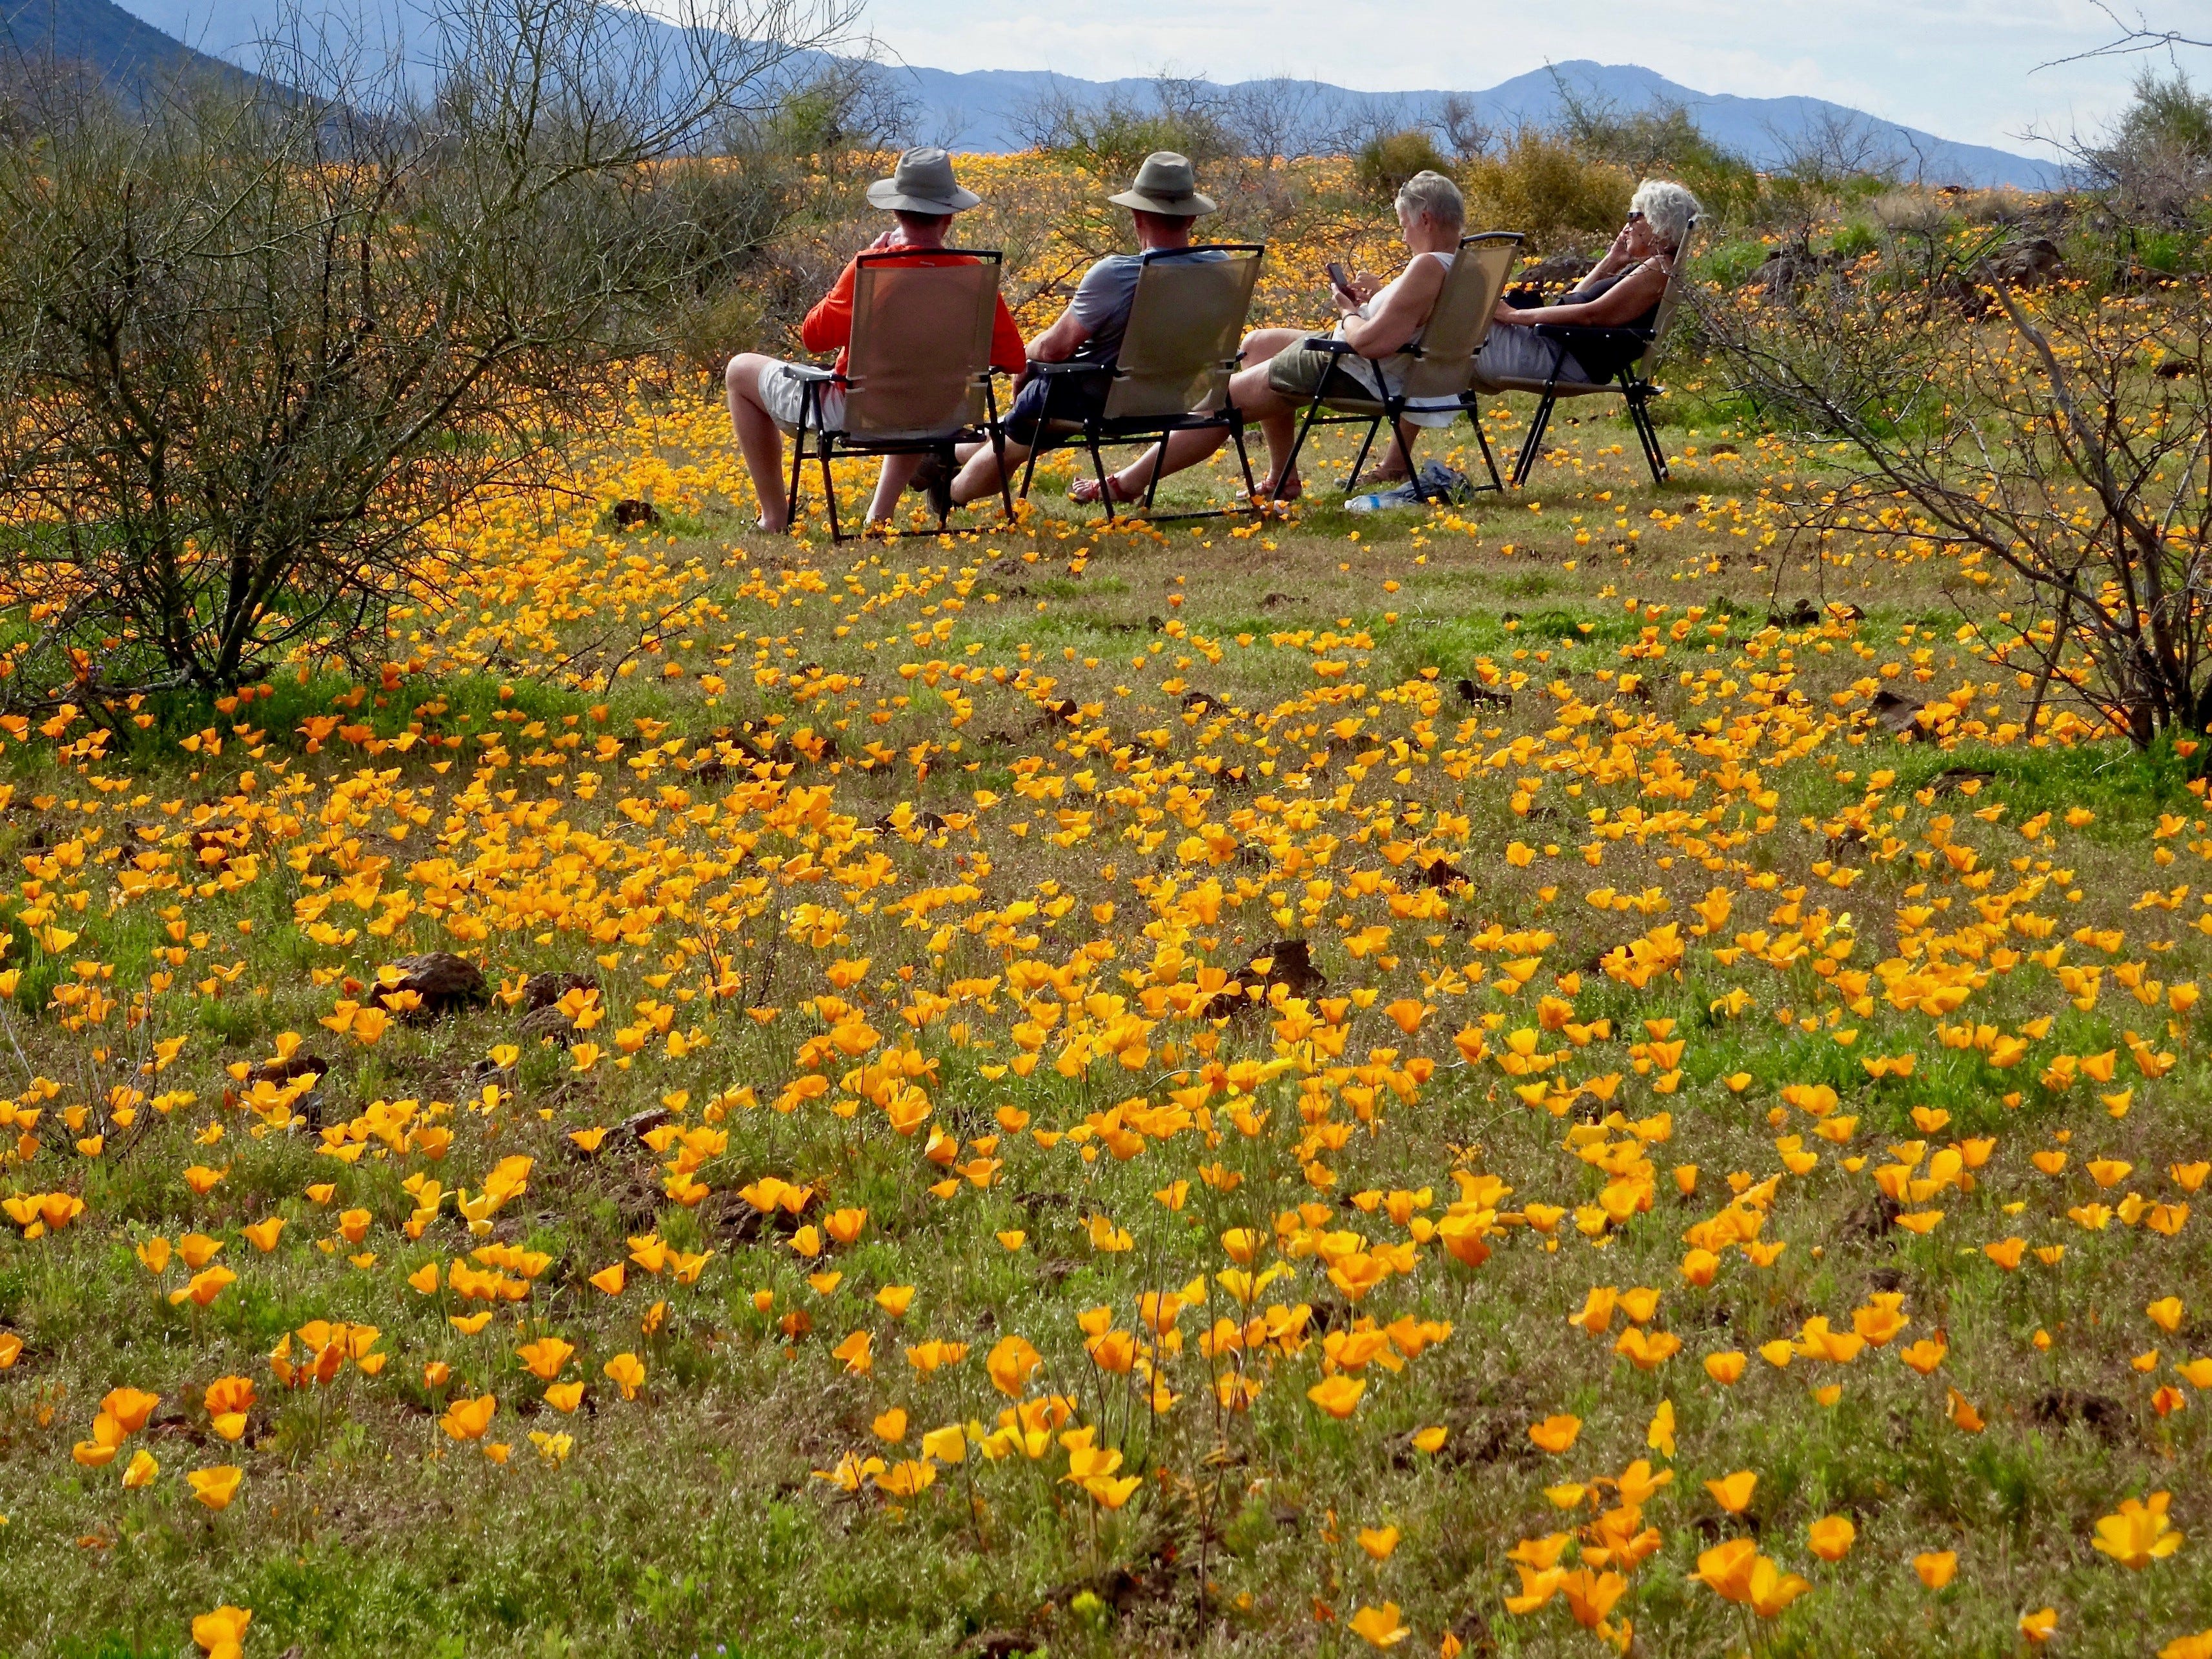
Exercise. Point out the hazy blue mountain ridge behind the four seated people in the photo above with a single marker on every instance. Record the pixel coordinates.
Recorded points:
(981, 112)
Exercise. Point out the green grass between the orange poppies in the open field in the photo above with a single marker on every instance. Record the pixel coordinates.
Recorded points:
(691, 1521)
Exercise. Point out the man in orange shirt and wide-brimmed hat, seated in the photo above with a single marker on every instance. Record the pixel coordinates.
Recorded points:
(766, 395)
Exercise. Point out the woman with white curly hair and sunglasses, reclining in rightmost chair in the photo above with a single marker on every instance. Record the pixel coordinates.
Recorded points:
(1623, 293)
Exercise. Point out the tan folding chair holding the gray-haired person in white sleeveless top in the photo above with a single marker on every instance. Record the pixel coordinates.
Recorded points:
(1439, 362)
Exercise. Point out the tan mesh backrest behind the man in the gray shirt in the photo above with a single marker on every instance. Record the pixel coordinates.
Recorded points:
(1182, 333)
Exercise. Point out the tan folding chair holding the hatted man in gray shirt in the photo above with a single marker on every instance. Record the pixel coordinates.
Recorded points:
(1173, 373)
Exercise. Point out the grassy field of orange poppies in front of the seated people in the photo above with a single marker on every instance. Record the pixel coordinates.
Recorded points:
(1523, 1078)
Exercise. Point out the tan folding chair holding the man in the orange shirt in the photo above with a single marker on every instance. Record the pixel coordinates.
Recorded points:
(917, 371)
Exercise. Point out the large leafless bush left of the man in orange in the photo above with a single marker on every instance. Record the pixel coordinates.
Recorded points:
(264, 335)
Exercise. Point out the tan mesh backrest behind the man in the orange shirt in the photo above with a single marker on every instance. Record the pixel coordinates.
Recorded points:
(921, 344)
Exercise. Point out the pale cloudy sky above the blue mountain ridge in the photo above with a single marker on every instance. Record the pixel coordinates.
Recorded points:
(1963, 70)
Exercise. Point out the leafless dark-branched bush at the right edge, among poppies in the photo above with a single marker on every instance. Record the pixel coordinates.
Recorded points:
(2065, 441)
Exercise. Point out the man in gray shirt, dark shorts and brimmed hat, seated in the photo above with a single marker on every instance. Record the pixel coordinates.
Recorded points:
(1165, 202)
